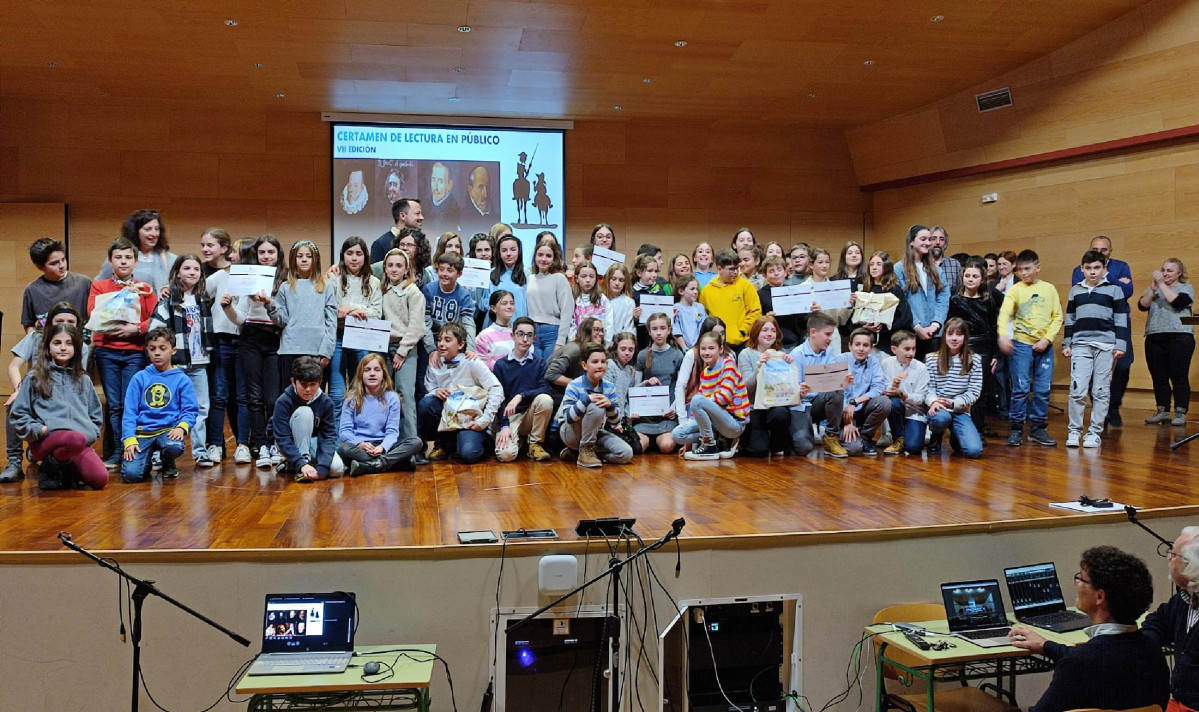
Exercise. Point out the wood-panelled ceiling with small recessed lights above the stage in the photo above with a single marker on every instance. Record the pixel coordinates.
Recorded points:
(788, 61)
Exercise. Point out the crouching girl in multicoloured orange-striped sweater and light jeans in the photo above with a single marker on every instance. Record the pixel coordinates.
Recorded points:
(719, 403)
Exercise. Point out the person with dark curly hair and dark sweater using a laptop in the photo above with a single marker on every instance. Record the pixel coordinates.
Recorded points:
(1119, 667)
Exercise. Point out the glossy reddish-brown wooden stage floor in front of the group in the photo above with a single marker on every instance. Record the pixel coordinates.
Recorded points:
(236, 512)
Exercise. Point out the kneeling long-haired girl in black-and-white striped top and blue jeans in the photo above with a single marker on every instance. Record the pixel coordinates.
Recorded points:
(955, 384)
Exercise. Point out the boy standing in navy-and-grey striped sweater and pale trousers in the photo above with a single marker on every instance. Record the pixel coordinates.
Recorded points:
(1096, 337)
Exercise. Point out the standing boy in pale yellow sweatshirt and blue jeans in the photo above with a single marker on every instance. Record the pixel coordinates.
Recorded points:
(1032, 312)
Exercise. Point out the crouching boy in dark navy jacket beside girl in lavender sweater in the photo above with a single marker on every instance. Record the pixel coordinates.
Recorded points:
(305, 427)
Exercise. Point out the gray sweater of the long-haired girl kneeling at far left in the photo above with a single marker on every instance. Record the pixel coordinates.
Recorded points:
(73, 406)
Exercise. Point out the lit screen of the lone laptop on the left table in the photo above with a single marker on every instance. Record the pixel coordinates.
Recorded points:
(309, 623)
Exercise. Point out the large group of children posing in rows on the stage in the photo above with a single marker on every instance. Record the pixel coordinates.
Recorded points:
(540, 363)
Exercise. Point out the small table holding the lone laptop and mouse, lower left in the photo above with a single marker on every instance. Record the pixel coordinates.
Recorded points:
(408, 689)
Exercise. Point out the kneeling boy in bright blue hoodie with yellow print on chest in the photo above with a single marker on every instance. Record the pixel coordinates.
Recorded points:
(160, 411)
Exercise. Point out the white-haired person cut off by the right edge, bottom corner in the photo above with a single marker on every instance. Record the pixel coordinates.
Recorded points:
(1174, 623)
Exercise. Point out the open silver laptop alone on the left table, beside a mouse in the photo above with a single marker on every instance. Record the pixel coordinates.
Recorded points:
(306, 635)
